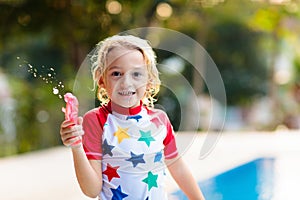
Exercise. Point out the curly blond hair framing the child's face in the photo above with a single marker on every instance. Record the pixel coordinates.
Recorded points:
(99, 65)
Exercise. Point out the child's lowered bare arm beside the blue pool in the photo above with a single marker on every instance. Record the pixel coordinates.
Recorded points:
(184, 178)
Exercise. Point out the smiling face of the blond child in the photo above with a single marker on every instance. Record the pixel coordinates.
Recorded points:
(126, 77)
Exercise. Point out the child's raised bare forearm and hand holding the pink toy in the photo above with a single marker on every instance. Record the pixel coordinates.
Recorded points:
(88, 173)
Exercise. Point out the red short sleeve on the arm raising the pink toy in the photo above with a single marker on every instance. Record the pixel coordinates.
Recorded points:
(93, 123)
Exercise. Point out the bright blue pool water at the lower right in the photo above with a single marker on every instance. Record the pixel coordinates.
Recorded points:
(251, 181)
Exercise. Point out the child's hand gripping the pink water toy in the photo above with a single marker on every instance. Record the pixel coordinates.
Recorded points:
(71, 134)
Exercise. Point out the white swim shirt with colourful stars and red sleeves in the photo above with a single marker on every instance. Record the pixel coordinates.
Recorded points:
(131, 147)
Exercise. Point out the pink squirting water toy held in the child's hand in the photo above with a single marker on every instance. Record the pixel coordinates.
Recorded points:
(71, 111)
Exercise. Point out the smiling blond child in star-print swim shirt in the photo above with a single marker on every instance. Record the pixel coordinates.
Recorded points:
(126, 143)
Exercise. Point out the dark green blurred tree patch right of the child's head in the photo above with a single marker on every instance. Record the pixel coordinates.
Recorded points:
(243, 67)
